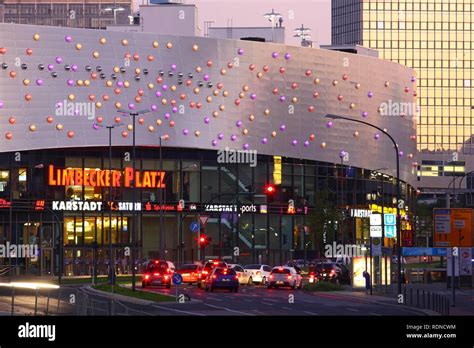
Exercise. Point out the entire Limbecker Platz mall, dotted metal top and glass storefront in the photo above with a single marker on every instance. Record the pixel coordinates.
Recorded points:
(233, 117)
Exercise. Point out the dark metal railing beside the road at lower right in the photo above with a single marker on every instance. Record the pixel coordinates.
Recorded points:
(424, 299)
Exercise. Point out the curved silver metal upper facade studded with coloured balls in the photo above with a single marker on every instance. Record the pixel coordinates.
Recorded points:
(208, 118)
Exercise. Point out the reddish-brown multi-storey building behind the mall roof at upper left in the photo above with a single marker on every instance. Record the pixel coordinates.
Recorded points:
(91, 14)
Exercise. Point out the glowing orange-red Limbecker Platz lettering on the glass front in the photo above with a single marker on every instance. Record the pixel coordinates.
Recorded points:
(105, 177)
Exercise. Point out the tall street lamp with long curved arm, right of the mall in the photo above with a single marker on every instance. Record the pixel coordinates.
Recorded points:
(399, 249)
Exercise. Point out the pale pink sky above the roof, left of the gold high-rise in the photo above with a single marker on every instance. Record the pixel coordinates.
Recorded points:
(314, 14)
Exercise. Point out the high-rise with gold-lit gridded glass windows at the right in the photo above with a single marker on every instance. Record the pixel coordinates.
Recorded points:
(433, 37)
